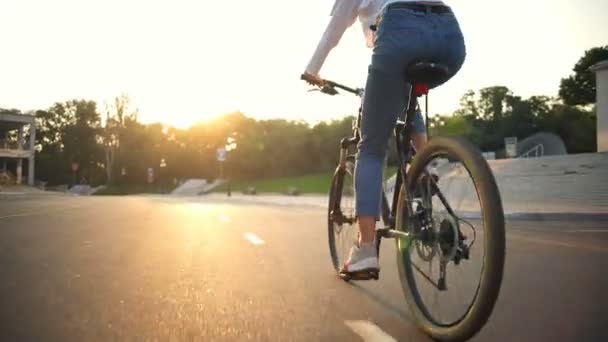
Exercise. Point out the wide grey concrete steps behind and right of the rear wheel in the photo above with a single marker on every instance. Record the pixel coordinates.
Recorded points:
(556, 184)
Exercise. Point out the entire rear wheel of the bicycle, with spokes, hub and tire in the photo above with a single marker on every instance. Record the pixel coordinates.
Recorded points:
(456, 221)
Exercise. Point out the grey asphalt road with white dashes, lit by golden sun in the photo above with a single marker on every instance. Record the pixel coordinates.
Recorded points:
(141, 268)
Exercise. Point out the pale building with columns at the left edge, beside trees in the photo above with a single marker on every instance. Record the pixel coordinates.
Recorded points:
(13, 147)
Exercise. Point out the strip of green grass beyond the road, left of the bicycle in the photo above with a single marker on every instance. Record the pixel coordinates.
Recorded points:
(309, 184)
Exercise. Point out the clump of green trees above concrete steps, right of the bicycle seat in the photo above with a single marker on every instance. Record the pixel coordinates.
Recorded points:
(502, 114)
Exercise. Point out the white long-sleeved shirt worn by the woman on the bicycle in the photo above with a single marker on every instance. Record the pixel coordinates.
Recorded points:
(343, 15)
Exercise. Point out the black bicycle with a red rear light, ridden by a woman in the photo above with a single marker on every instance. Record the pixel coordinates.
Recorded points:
(446, 234)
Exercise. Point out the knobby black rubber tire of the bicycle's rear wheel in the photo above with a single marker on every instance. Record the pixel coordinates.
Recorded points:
(488, 289)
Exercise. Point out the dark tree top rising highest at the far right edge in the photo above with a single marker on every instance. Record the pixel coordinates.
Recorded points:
(580, 88)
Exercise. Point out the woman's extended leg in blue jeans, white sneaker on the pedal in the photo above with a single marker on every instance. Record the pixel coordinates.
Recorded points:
(401, 38)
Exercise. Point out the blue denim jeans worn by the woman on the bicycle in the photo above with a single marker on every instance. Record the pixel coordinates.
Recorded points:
(403, 37)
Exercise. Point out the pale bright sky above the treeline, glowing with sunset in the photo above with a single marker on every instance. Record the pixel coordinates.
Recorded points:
(184, 61)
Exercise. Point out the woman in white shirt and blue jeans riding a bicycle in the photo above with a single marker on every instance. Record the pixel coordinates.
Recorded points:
(400, 33)
